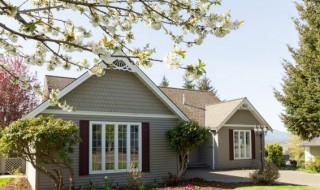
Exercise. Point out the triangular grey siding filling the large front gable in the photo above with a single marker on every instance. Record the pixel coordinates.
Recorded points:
(116, 91)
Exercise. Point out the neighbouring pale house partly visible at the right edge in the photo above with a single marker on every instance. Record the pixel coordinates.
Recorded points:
(311, 148)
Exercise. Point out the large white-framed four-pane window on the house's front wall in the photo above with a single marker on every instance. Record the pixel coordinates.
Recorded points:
(114, 146)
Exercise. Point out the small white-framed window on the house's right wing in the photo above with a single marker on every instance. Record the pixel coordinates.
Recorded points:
(242, 144)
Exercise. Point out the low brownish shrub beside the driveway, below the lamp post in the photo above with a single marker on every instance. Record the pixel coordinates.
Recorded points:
(266, 175)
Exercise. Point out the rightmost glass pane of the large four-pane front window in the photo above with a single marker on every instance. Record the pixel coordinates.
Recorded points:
(134, 145)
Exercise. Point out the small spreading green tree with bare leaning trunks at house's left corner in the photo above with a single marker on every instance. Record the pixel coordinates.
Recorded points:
(43, 141)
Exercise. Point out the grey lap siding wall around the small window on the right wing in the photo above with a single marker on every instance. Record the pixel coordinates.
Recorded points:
(222, 152)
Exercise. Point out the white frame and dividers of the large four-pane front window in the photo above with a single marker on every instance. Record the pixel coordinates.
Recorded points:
(116, 124)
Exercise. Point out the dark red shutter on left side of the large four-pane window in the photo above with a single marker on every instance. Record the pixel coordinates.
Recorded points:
(84, 148)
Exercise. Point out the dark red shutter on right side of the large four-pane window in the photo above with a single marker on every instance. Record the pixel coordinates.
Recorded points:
(145, 147)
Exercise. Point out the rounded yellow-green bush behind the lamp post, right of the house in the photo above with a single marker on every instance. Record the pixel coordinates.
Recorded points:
(274, 154)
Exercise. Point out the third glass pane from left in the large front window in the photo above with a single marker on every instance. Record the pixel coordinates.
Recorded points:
(122, 147)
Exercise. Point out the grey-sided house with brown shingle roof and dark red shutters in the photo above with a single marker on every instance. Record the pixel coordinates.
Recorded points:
(124, 108)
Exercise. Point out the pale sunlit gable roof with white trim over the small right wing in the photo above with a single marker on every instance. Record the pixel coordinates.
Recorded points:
(218, 114)
